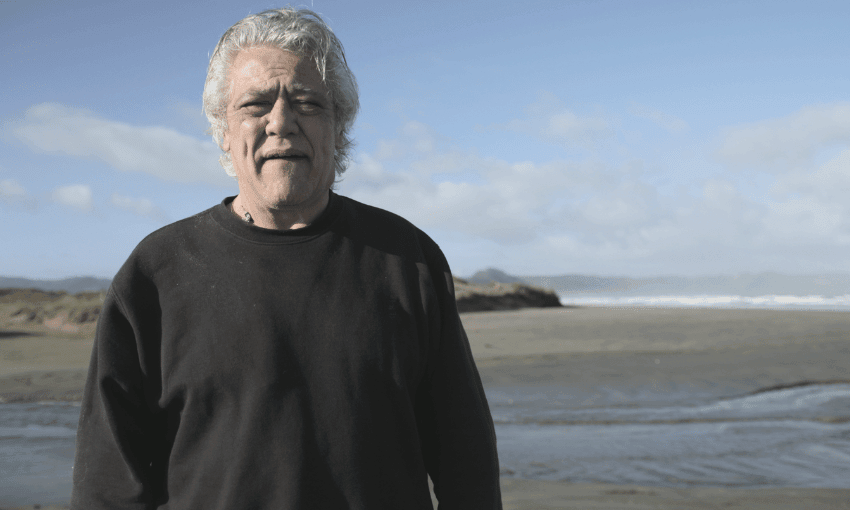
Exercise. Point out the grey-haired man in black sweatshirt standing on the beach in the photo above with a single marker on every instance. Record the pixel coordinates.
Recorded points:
(289, 348)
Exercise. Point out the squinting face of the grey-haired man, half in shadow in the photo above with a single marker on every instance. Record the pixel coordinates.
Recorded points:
(281, 131)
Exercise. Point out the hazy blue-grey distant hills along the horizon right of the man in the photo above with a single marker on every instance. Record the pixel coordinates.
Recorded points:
(747, 284)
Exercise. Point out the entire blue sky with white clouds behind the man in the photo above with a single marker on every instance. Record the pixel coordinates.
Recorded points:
(634, 138)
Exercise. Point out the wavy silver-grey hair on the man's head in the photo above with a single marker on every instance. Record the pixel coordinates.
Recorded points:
(304, 33)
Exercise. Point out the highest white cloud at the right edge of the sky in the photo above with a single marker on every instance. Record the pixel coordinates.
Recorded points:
(787, 142)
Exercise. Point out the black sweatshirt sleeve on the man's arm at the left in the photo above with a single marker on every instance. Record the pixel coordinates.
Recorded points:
(116, 449)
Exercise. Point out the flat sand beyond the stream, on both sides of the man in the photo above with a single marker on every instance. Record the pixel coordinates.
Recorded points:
(574, 347)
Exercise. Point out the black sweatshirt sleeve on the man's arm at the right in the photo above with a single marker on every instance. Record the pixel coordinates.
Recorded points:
(458, 437)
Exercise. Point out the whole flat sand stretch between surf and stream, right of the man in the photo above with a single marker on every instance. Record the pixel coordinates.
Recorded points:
(747, 349)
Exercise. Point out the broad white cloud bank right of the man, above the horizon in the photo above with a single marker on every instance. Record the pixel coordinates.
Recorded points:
(589, 215)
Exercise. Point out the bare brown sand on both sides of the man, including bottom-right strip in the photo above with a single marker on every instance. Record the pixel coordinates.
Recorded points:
(574, 347)
